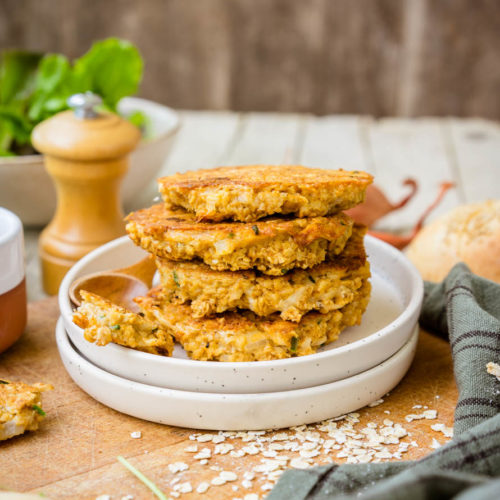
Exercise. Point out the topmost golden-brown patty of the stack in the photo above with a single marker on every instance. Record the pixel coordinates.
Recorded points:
(251, 192)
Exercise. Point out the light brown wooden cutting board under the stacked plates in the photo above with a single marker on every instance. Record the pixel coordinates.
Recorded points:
(73, 455)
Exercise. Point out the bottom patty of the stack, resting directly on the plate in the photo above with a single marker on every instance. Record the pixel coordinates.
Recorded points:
(243, 336)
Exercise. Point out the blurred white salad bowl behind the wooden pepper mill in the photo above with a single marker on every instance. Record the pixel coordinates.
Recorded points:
(27, 190)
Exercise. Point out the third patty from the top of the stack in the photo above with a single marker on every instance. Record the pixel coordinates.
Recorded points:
(324, 287)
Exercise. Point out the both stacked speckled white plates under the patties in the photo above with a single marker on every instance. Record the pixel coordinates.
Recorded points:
(364, 364)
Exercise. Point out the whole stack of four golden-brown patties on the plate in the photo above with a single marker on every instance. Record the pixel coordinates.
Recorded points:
(256, 262)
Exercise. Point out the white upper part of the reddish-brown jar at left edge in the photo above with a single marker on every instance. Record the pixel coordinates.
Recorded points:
(11, 251)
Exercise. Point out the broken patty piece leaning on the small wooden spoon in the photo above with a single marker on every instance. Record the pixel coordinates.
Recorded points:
(104, 322)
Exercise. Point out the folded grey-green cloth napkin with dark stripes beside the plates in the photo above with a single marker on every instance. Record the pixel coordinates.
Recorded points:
(465, 309)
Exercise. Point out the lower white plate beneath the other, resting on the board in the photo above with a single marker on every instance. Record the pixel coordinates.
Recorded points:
(213, 411)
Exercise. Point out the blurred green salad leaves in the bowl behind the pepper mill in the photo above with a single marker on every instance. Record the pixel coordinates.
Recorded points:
(34, 87)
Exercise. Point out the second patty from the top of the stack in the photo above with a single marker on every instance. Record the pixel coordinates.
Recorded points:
(273, 245)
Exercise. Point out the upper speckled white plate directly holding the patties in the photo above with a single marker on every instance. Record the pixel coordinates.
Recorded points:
(386, 326)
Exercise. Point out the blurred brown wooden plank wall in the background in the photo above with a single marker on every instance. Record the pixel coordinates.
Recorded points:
(379, 57)
